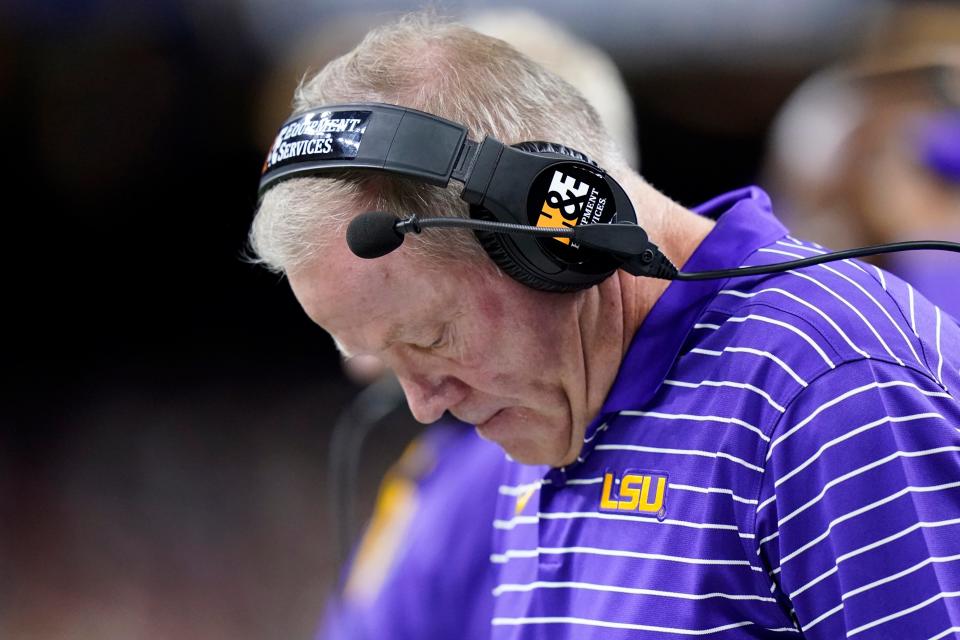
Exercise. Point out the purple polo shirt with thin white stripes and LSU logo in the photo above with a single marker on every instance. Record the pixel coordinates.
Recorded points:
(778, 457)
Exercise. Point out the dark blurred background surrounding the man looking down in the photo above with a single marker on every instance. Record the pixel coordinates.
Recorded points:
(168, 409)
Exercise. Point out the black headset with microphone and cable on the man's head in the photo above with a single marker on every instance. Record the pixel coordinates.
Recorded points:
(546, 214)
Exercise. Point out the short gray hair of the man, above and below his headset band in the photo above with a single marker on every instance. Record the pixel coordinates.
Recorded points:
(442, 68)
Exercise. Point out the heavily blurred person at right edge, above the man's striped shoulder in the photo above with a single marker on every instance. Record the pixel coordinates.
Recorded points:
(868, 151)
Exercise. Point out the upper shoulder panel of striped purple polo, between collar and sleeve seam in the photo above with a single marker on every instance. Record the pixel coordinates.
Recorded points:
(817, 318)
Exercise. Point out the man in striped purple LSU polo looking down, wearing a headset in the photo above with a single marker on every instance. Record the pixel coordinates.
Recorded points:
(763, 457)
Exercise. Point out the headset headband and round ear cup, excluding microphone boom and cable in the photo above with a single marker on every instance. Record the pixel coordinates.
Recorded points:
(533, 183)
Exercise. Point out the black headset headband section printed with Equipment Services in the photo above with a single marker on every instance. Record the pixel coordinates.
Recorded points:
(369, 136)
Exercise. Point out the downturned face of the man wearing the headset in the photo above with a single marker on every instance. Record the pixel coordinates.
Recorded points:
(461, 338)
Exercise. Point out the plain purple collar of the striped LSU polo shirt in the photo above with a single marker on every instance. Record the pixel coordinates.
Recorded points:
(745, 223)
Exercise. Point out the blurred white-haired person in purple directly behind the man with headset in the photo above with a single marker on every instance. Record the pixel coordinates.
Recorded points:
(398, 584)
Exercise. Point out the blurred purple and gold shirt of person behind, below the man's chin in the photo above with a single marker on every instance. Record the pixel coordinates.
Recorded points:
(434, 511)
